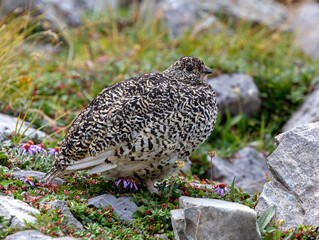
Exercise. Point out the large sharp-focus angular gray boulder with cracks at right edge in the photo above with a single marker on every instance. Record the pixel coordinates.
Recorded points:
(294, 188)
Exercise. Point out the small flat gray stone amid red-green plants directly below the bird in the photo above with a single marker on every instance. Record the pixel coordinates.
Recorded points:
(122, 206)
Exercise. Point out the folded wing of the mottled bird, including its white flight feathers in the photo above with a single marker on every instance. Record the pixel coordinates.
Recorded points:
(131, 134)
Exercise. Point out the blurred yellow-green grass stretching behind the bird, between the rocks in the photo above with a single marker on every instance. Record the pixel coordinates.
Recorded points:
(109, 50)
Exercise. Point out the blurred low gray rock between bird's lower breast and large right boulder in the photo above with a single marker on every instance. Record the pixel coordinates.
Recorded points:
(248, 166)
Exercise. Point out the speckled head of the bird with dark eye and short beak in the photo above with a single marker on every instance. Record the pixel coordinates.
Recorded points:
(189, 70)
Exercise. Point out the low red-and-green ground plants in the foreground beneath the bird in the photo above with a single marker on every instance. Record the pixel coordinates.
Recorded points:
(152, 217)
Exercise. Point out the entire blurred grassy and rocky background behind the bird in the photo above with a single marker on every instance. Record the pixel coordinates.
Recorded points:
(58, 55)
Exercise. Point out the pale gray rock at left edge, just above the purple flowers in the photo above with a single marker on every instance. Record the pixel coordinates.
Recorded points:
(8, 124)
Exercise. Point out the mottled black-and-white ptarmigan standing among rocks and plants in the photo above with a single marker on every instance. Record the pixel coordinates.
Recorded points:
(140, 127)
